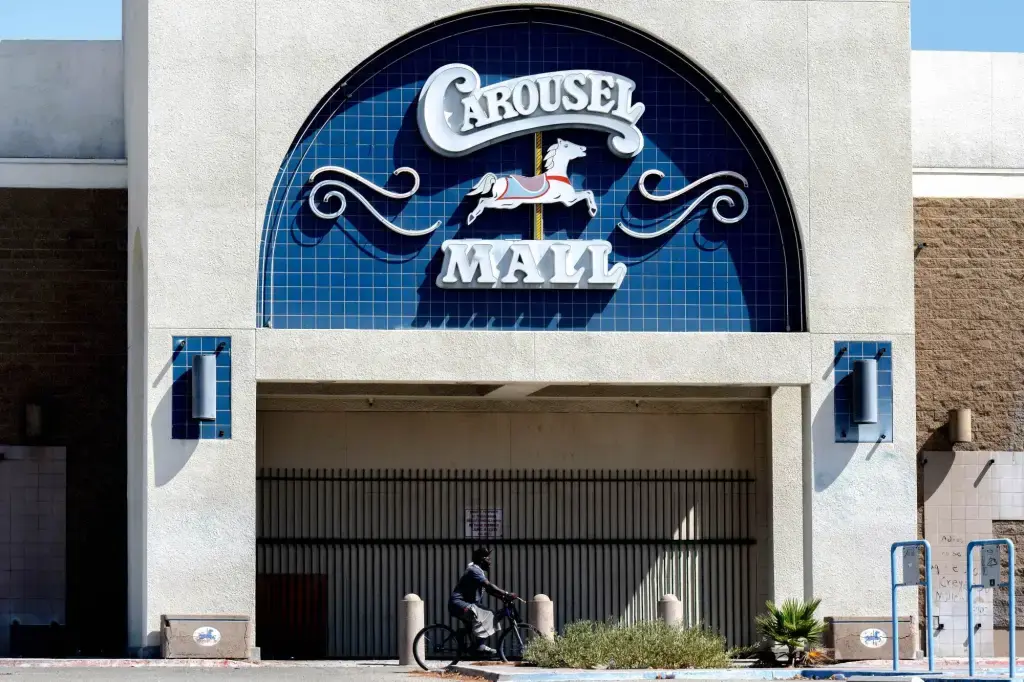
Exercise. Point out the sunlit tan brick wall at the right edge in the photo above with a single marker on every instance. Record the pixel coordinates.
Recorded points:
(970, 320)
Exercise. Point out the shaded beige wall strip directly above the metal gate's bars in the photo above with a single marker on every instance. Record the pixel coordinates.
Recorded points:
(506, 441)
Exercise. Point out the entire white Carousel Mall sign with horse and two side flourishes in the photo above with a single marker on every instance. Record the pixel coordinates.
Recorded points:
(458, 117)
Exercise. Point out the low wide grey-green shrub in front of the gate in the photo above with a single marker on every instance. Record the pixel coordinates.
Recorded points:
(641, 646)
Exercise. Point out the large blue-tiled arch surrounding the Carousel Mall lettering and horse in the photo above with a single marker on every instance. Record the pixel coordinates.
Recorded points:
(353, 273)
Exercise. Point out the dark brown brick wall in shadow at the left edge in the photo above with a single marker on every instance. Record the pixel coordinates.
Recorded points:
(63, 345)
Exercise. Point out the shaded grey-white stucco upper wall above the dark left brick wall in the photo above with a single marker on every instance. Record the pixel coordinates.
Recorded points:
(62, 100)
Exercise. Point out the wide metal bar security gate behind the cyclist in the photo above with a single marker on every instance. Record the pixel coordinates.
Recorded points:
(337, 550)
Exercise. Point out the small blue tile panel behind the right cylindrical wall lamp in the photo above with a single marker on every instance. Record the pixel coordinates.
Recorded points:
(846, 431)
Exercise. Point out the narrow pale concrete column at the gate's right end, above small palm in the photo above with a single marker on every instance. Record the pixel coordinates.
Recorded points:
(787, 425)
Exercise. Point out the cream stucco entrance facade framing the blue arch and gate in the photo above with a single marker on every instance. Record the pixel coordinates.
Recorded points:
(230, 83)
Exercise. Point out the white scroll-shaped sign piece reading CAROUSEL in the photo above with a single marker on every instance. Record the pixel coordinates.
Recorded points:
(458, 117)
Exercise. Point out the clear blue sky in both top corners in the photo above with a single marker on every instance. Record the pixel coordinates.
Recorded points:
(996, 26)
